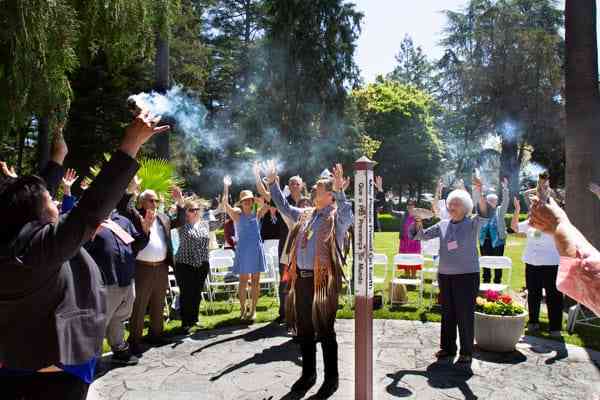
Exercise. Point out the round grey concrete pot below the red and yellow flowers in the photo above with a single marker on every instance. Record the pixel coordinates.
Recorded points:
(498, 333)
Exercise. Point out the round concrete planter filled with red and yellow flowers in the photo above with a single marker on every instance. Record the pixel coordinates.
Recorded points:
(499, 322)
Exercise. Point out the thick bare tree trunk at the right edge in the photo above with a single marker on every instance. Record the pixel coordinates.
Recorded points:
(582, 106)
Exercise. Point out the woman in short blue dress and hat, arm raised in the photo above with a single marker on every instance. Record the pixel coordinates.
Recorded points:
(249, 254)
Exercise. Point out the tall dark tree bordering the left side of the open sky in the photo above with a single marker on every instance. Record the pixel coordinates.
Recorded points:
(310, 47)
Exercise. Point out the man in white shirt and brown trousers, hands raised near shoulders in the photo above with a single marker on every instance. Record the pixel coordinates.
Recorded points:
(151, 274)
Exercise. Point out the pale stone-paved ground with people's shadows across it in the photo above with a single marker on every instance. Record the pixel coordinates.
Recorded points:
(261, 362)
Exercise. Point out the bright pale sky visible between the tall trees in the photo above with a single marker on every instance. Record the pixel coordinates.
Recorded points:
(386, 22)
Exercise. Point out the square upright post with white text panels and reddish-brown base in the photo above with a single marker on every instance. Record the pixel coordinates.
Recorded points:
(363, 279)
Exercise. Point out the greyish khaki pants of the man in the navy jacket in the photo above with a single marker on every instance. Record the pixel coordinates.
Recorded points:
(119, 305)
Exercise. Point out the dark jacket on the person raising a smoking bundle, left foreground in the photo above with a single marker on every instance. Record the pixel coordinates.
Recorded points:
(52, 304)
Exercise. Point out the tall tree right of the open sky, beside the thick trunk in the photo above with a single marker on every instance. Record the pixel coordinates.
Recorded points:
(507, 55)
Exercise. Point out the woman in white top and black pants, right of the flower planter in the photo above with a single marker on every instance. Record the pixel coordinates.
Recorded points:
(541, 260)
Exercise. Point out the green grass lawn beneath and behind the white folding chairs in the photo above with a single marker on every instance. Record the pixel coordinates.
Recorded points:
(226, 314)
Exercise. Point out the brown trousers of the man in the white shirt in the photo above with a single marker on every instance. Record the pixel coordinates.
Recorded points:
(151, 283)
